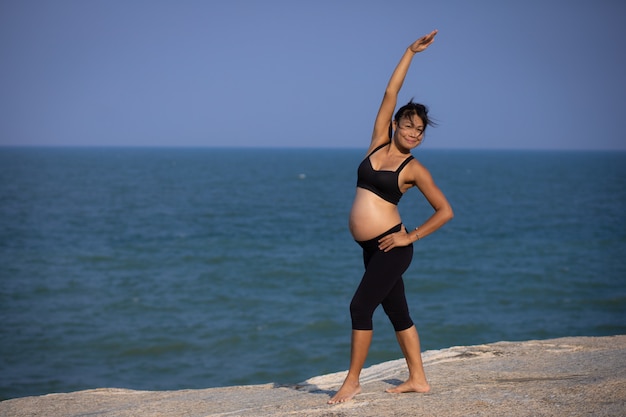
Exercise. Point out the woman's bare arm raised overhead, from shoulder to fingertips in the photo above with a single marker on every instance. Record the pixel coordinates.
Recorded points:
(380, 134)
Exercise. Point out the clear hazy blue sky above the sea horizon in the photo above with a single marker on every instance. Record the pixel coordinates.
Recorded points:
(534, 74)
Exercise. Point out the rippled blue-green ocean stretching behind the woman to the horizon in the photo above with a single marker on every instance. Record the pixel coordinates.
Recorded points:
(167, 269)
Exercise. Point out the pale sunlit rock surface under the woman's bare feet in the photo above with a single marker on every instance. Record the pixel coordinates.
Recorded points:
(574, 376)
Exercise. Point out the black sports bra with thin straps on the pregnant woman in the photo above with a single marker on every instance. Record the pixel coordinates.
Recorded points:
(382, 183)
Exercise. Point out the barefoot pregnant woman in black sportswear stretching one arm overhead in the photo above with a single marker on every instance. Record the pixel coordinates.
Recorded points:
(386, 173)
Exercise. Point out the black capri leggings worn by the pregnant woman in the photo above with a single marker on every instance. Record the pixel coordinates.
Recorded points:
(382, 284)
